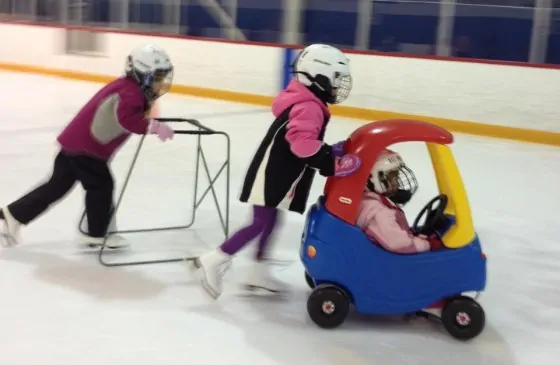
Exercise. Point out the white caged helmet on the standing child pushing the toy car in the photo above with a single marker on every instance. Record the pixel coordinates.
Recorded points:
(325, 68)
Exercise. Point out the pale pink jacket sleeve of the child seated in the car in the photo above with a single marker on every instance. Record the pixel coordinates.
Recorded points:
(384, 229)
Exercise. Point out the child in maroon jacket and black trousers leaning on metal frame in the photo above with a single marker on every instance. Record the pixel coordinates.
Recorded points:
(91, 139)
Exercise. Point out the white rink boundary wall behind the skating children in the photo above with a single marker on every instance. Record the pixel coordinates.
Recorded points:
(513, 96)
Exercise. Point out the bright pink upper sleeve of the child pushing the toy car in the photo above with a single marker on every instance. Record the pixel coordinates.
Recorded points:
(305, 123)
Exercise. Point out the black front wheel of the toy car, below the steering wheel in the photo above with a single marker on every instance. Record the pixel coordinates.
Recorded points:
(463, 318)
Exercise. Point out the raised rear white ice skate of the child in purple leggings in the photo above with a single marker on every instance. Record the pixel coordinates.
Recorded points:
(210, 269)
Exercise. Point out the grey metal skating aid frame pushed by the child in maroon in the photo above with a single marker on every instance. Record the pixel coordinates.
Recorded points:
(200, 159)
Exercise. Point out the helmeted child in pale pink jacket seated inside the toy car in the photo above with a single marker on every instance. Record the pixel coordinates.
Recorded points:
(391, 184)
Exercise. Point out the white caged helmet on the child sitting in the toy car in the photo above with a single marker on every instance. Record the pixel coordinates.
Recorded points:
(387, 162)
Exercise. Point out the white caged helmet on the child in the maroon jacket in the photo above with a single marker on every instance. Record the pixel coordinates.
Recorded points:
(151, 67)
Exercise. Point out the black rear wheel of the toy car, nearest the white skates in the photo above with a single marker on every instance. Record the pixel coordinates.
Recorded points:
(328, 306)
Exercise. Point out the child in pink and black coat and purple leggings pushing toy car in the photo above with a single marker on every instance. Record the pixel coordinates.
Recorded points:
(282, 169)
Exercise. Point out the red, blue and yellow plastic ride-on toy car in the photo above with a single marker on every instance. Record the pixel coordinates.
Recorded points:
(345, 268)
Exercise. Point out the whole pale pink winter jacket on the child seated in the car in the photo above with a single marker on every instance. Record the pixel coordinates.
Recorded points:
(386, 224)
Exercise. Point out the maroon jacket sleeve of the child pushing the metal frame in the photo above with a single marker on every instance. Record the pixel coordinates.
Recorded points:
(131, 114)
